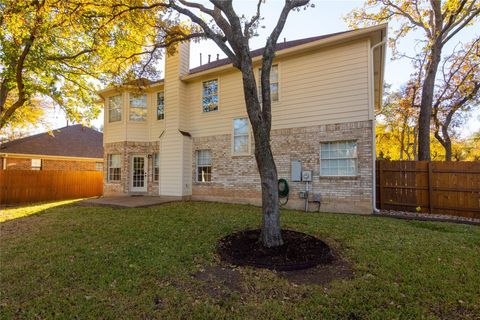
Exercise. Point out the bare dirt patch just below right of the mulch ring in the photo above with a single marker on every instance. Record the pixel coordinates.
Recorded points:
(321, 275)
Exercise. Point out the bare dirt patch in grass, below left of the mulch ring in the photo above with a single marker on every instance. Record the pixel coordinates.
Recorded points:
(220, 281)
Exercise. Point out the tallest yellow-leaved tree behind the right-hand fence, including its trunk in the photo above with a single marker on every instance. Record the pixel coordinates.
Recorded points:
(440, 21)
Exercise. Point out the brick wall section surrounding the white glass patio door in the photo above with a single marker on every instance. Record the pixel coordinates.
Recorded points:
(126, 150)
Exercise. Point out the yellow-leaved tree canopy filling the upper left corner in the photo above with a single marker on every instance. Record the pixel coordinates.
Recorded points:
(59, 51)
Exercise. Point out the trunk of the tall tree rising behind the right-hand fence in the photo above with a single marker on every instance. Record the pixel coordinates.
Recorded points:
(426, 103)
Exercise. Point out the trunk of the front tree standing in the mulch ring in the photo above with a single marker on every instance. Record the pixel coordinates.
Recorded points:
(271, 233)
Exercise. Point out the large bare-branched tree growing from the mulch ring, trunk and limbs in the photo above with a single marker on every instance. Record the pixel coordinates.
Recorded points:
(232, 32)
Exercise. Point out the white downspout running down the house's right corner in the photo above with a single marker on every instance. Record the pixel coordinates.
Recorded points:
(380, 45)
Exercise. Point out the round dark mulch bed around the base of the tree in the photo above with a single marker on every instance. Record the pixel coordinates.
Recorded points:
(299, 251)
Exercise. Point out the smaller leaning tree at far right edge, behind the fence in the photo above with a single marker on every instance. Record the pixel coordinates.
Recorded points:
(457, 93)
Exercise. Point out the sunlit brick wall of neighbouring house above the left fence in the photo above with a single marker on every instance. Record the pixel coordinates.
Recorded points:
(49, 164)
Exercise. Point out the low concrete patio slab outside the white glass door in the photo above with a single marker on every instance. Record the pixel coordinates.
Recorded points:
(129, 201)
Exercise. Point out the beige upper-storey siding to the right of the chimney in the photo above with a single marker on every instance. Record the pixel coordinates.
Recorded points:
(326, 86)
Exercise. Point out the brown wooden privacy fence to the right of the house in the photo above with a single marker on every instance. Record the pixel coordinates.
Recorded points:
(451, 188)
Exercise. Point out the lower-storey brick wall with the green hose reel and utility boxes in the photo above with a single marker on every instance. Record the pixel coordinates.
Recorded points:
(236, 179)
